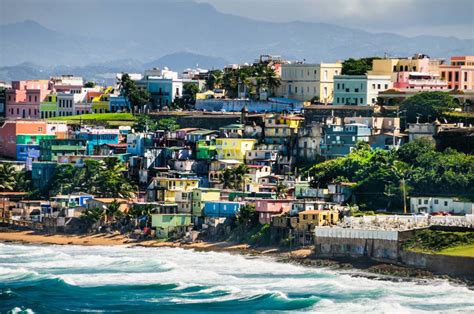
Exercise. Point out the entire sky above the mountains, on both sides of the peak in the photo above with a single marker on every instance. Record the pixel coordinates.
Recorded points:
(404, 17)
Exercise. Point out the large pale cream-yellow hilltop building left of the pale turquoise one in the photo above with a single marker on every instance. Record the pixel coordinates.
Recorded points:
(305, 81)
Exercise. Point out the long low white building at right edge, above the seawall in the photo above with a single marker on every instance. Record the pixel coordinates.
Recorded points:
(431, 204)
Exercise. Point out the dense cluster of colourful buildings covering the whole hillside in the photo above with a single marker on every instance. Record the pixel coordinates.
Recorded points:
(202, 176)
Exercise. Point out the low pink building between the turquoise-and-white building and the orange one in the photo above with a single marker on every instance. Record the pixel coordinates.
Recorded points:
(419, 80)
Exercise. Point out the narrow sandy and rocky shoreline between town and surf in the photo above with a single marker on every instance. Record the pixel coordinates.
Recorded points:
(366, 268)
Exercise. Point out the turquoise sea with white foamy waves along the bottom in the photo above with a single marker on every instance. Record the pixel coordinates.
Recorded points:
(58, 279)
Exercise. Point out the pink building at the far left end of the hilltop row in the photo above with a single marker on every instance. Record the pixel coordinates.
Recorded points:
(24, 98)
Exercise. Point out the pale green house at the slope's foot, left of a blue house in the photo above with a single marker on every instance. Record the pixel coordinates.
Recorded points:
(168, 225)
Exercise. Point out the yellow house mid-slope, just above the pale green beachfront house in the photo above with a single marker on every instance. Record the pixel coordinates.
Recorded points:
(171, 187)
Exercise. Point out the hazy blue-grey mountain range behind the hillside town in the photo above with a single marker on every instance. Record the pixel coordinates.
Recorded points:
(105, 35)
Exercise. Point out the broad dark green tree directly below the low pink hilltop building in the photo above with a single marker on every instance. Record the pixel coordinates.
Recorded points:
(427, 106)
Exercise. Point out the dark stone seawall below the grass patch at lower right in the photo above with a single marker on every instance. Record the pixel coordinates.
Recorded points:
(457, 266)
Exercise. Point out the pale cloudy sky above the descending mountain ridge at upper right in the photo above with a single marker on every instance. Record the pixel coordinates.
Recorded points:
(406, 17)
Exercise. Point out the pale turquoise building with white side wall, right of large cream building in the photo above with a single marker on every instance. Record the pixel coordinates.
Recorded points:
(359, 90)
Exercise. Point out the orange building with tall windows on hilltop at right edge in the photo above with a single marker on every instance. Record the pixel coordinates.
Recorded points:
(459, 73)
